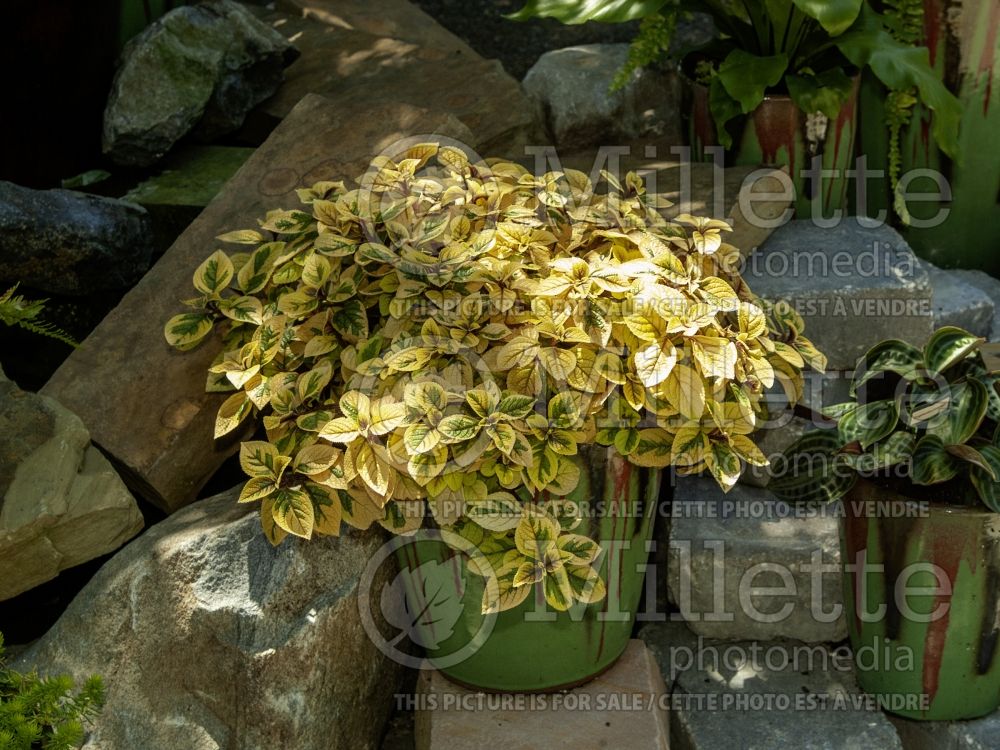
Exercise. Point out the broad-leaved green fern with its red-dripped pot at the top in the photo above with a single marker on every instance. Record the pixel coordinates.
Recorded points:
(780, 82)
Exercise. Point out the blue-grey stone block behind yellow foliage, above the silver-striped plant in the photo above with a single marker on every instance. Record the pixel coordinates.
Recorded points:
(853, 285)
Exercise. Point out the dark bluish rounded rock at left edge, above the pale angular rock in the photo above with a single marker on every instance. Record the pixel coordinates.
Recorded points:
(64, 242)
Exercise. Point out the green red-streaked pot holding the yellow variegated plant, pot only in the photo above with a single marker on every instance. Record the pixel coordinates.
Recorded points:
(532, 648)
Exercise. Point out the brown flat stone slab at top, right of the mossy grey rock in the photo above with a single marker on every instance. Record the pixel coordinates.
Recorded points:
(431, 69)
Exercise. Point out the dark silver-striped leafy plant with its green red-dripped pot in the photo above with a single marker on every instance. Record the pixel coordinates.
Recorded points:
(916, 458)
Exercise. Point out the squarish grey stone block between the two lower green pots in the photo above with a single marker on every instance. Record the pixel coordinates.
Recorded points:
(745, 565)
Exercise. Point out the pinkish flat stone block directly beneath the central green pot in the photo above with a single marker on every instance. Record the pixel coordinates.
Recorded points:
(618, 709)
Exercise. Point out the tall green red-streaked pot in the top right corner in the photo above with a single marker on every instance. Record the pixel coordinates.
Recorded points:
(964, 47)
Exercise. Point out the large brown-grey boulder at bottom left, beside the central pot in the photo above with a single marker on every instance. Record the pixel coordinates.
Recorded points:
(210, 638)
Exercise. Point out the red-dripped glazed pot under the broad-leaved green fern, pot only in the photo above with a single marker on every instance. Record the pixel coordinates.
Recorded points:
(779, 134)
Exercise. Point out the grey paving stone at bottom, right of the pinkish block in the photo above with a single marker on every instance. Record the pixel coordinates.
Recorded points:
(763, 695)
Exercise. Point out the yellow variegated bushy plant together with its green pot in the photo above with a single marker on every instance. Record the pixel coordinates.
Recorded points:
(519, 355)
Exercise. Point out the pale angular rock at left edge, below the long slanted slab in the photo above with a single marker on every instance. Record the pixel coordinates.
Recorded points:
(61, 503)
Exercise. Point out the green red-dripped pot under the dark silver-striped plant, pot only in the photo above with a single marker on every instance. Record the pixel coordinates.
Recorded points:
(930, 653)
